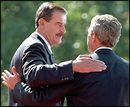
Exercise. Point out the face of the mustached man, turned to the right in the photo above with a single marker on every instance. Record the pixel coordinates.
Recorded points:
(55, 28)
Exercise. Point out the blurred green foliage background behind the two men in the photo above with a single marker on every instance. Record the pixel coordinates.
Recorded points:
(17, 20)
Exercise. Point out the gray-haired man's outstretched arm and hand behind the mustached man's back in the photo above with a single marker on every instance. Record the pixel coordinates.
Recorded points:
(40, 96)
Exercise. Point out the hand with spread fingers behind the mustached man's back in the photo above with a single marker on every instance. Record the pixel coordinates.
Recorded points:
(10, 80)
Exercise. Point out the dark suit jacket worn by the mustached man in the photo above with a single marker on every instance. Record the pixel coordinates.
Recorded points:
(36, 67)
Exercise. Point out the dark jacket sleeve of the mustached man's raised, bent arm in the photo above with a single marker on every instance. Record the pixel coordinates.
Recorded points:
(38, 73)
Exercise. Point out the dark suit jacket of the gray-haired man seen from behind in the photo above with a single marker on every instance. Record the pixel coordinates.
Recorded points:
(107, 88)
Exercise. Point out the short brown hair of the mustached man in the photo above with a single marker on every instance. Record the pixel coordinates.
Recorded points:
(46, 10)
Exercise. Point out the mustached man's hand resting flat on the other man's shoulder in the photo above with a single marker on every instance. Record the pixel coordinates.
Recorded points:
(84, 64)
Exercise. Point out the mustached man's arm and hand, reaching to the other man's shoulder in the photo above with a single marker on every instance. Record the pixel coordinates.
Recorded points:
(38, 73)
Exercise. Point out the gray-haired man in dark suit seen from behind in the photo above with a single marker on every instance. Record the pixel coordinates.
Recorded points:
(107, 88)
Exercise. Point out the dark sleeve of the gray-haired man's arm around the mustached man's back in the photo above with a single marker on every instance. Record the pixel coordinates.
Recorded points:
(43, 96)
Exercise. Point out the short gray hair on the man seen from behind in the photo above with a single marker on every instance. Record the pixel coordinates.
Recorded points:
(107, 28)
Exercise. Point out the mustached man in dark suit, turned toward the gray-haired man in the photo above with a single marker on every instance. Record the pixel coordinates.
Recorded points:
(34, 58)
